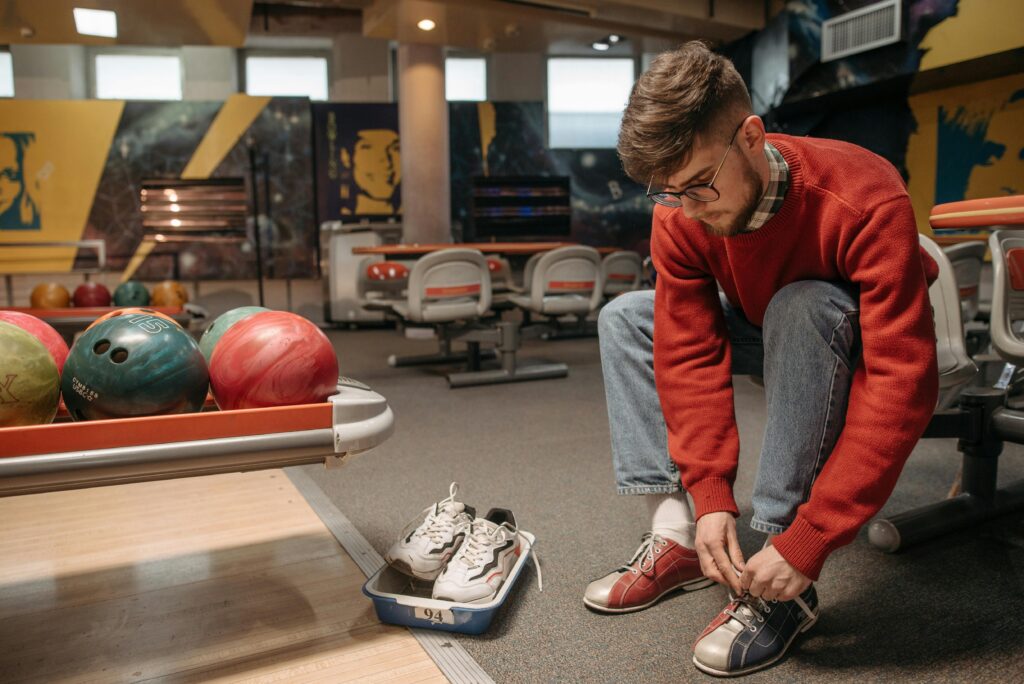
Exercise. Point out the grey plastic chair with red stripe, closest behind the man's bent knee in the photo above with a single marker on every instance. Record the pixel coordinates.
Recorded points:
(564, 282)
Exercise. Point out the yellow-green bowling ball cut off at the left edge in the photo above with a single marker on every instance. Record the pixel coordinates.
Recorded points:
(30, 383)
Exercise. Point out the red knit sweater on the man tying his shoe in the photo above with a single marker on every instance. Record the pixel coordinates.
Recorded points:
(847, 217)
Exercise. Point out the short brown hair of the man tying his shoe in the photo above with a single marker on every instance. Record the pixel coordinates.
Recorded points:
(686, 93)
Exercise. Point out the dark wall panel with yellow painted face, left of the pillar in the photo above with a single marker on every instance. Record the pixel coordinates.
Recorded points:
(359, 161)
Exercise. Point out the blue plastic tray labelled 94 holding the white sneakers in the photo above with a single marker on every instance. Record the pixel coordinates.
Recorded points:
(390, 591)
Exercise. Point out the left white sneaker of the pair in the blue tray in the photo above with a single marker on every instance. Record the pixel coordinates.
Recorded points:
(424, 549)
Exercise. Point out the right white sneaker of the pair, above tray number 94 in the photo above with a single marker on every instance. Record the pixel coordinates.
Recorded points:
(483, 563)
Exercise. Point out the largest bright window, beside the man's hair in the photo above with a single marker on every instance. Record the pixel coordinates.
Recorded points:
(586, 99)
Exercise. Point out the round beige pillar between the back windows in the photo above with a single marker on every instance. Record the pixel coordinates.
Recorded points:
(423, 124)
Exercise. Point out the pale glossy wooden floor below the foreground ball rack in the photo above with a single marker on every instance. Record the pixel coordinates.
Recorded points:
(226, 578)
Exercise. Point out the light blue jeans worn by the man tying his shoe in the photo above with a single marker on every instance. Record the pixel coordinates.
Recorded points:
(806, 353)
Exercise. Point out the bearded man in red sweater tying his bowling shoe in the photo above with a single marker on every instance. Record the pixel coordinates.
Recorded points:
(824, 294)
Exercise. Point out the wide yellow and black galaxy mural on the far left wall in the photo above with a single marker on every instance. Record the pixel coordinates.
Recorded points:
(72, 170)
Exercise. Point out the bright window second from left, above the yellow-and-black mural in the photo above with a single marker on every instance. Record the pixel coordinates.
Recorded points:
(138, 77)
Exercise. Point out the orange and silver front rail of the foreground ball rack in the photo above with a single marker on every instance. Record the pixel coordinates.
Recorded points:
(69, 456)
